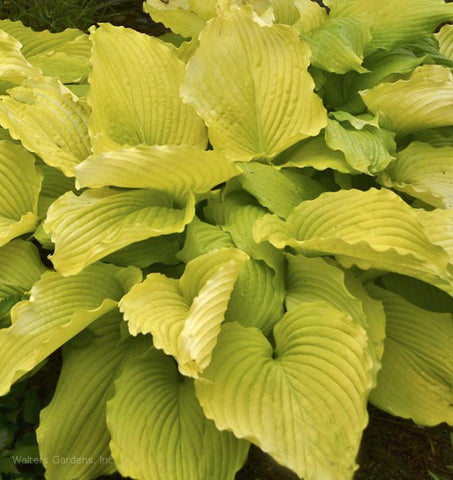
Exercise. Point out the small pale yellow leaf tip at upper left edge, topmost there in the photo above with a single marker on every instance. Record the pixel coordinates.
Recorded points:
(14, 67)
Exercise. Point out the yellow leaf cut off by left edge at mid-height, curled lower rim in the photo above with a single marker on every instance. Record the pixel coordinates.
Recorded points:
(20, 183)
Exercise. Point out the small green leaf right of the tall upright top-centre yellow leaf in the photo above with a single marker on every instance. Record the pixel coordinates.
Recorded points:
(338, 45)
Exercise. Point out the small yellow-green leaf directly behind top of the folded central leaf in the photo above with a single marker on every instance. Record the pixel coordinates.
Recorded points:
(201, 238)
